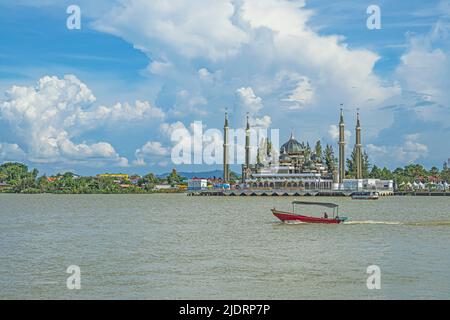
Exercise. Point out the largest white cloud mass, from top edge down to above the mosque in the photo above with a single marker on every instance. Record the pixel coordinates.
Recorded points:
(264, 46)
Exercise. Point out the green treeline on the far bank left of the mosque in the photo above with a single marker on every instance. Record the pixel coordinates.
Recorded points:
(17, 178)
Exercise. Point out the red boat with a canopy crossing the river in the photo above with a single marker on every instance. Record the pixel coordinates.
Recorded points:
(294, 217)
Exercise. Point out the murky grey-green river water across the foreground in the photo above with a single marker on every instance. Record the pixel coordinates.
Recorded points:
(179, 247)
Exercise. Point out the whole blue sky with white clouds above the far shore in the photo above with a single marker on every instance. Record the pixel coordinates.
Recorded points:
(108, 97)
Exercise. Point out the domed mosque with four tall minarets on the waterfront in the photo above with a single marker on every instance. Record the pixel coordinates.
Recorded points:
(298, 168)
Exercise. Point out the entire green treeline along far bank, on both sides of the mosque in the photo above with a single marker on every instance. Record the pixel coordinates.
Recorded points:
(17, 178)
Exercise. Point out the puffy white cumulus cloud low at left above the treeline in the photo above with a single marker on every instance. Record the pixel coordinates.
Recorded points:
(47, 118)
